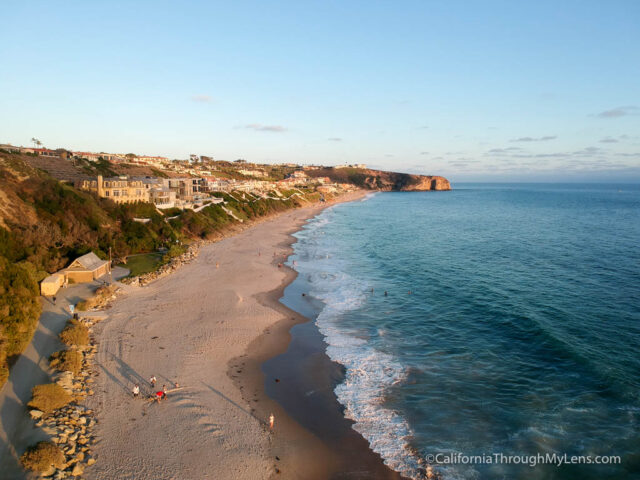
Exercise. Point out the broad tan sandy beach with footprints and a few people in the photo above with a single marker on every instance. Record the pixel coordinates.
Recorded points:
(209, 330)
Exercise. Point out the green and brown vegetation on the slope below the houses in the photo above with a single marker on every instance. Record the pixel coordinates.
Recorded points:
(44, 224)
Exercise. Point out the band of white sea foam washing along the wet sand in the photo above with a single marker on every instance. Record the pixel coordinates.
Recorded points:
(369, 372)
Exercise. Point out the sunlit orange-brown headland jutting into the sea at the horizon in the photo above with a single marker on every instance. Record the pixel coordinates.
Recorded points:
(381, 180)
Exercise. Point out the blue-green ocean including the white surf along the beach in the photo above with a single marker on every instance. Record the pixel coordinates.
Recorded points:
(492, 319)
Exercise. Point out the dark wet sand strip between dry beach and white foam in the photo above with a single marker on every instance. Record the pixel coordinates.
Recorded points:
(345, 453)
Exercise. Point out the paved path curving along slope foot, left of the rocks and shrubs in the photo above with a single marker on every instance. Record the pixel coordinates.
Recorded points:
(17, 429)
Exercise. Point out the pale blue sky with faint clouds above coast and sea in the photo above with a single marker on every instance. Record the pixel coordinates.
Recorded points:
(472, 90)
